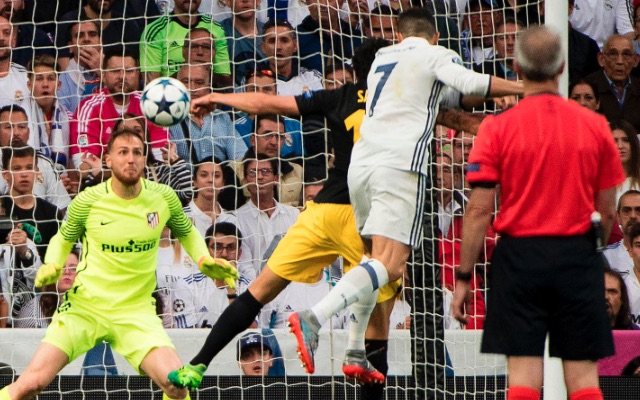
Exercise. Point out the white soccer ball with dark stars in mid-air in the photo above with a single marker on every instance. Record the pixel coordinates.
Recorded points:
(165, 101)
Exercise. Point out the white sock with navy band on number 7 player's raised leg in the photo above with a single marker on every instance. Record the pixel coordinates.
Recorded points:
(360, 281)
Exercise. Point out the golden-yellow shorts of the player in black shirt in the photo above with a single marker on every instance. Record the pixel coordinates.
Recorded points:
(322, 232)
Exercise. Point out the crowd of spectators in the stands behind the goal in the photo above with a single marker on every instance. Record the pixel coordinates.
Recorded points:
(71, 73)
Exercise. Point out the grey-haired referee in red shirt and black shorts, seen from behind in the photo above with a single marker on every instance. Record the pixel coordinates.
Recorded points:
(556, 163)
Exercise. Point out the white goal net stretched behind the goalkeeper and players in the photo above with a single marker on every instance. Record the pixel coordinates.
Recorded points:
(270, 46)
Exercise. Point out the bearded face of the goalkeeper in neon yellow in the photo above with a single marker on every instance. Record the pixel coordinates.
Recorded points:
(126, 159)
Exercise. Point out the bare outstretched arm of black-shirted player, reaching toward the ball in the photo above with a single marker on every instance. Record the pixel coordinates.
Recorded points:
(252, 103)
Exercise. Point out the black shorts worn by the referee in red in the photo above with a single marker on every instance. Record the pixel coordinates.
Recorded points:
(547, 284)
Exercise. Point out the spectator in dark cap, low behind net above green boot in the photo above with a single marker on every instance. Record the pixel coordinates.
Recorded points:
(257, 354)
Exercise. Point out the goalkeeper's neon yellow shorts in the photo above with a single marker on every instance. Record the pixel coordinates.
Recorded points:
(77, 327)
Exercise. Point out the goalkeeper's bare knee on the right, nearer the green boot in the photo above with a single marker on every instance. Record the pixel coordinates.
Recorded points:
(157, 364)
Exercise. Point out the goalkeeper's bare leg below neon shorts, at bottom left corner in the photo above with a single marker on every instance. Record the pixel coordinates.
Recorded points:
(47, 361)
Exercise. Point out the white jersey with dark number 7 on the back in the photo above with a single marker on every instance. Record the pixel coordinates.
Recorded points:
(406, 84)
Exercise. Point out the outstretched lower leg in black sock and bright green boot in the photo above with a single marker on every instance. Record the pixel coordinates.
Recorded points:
(236, 318)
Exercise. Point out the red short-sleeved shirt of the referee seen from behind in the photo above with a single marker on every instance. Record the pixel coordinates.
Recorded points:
(550, 156)
